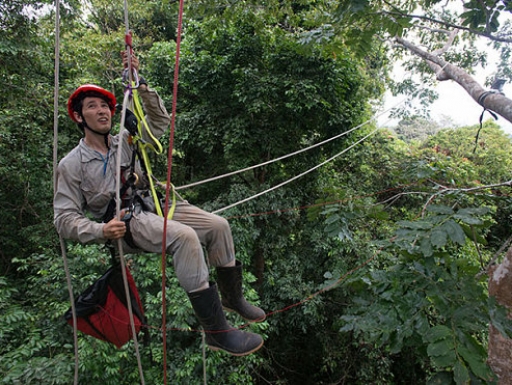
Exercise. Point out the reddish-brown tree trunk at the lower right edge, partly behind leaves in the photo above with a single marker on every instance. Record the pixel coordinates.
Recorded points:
(500, 347)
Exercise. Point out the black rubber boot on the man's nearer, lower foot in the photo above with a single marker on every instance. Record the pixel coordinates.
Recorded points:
(219, 333)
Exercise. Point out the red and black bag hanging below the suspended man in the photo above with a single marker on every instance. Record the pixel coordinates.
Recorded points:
(102, 311)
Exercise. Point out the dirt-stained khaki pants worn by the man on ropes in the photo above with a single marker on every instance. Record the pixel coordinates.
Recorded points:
(190, 229)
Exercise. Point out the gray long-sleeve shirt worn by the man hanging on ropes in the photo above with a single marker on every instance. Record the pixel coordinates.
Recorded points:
(86, 179)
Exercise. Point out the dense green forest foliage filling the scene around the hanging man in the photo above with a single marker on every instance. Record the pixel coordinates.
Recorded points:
(374, 283)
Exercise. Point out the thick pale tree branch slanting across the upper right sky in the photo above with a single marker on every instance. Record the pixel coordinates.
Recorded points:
(489, 99)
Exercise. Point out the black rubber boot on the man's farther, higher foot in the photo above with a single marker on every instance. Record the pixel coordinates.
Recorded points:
(230, 286)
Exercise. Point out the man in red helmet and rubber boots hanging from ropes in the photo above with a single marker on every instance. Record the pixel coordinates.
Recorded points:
(86, 183)
